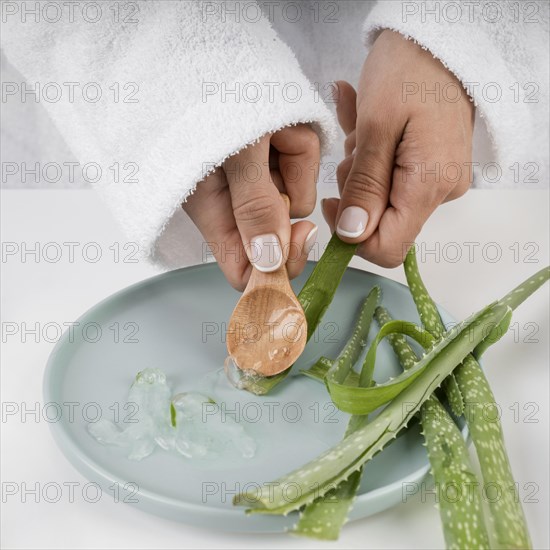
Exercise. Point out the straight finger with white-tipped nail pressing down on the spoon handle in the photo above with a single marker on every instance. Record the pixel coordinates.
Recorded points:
(260, 213)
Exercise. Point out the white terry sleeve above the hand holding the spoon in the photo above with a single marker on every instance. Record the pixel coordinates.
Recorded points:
(162, 91)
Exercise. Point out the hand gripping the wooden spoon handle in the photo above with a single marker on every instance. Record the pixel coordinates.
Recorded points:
(241, 214)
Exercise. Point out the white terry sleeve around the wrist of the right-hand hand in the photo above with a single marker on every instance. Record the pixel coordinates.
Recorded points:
(499, 51)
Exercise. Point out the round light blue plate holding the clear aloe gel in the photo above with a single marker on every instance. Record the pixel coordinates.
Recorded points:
(176, 322)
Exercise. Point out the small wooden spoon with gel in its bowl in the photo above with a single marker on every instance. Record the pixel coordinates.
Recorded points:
(267, 331)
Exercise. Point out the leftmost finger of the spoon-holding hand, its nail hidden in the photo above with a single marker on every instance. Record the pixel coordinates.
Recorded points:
(209, 207)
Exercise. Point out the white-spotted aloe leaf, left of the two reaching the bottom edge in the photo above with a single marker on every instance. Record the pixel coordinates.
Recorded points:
(460, 507)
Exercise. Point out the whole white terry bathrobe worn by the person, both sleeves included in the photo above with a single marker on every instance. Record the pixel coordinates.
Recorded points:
(185, 84)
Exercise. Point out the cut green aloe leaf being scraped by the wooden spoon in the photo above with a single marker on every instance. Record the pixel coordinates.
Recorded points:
(315, 297)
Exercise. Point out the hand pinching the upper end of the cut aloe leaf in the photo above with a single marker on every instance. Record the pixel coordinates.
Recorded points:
(406, 152)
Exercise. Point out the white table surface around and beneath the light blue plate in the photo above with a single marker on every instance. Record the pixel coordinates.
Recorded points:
(58, 292)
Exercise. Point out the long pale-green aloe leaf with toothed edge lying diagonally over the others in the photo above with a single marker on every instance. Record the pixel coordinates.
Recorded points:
(335, 465)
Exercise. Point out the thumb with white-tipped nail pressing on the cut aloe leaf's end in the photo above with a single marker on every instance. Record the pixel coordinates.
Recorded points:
(367, 187)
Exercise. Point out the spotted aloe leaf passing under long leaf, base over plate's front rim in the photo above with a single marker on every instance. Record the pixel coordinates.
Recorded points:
(324, 518)
